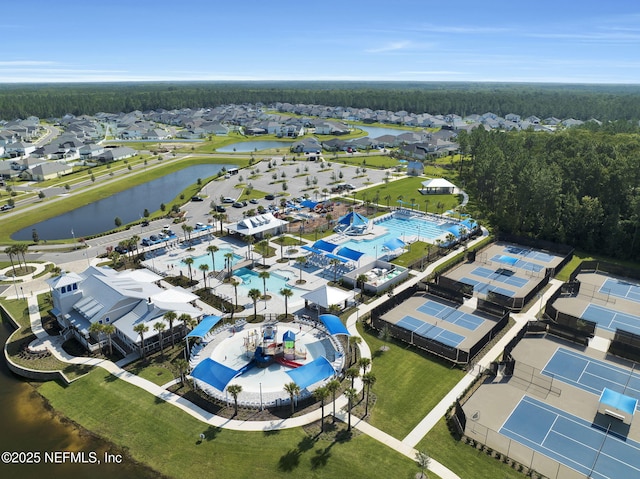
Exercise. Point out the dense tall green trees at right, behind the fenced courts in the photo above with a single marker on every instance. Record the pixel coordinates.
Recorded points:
(580, 186)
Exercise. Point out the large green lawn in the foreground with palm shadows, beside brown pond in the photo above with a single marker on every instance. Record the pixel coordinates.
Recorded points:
(166, 438)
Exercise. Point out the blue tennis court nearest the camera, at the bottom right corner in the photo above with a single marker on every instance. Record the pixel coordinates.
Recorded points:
(572, 441)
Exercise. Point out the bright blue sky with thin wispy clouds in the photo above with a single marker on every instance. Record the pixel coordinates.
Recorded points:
(403, 40)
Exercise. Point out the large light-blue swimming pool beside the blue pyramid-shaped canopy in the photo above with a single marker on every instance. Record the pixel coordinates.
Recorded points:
(404, 228)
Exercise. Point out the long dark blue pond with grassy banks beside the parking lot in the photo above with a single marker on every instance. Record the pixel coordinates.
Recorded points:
(127, 205)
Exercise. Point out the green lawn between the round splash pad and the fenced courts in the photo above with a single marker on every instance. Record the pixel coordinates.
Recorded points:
(409, 384)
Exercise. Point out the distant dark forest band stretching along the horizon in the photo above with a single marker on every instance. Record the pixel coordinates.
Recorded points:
(604, 102)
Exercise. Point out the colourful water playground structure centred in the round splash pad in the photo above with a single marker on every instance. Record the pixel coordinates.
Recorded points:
(264, 349)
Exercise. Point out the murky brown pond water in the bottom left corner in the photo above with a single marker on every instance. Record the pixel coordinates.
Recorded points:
(28, 426)
